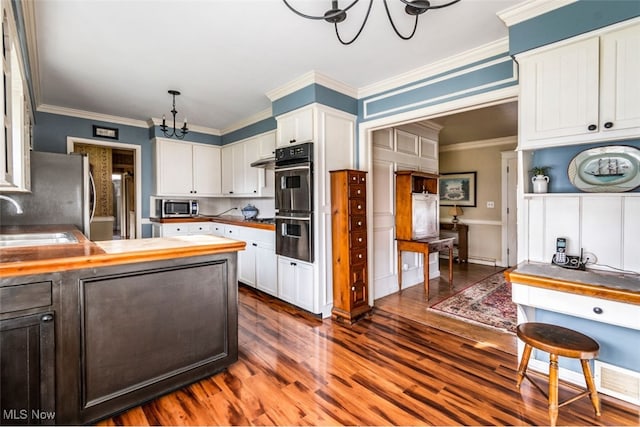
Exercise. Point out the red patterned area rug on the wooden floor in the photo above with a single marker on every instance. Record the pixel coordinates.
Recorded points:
(487, 302)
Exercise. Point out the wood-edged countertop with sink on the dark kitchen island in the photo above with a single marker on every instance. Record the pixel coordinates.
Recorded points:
(20, 261)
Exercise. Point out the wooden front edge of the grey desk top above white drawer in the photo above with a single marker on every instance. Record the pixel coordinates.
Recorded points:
(597, 291)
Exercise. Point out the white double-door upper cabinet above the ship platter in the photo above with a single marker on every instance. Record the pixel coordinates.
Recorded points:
(581, 91)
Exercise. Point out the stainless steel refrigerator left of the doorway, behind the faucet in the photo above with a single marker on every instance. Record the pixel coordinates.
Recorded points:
(61, 193)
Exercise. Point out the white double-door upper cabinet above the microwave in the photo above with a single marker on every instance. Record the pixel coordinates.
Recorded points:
(186, 169)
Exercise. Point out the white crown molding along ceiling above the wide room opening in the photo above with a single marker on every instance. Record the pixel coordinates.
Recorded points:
(470, 56)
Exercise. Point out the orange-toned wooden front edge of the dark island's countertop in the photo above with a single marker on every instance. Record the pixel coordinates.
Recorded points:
(104, 260)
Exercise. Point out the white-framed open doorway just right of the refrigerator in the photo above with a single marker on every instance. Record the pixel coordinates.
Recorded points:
(115, 168)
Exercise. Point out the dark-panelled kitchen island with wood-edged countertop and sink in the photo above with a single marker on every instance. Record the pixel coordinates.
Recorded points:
(115, 323)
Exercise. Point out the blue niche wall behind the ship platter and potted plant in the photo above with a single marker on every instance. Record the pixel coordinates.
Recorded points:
(558, 158)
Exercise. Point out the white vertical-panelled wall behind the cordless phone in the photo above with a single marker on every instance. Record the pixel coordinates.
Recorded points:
(605, 226)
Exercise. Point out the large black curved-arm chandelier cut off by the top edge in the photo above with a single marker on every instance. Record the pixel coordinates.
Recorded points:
(335, 15)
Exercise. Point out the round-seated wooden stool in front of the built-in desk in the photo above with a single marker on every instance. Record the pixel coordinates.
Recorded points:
(558, 341)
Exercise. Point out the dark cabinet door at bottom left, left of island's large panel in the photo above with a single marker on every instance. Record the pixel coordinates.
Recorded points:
(27, 370)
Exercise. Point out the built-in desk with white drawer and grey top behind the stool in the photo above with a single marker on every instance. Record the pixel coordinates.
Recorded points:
(602, 305)
